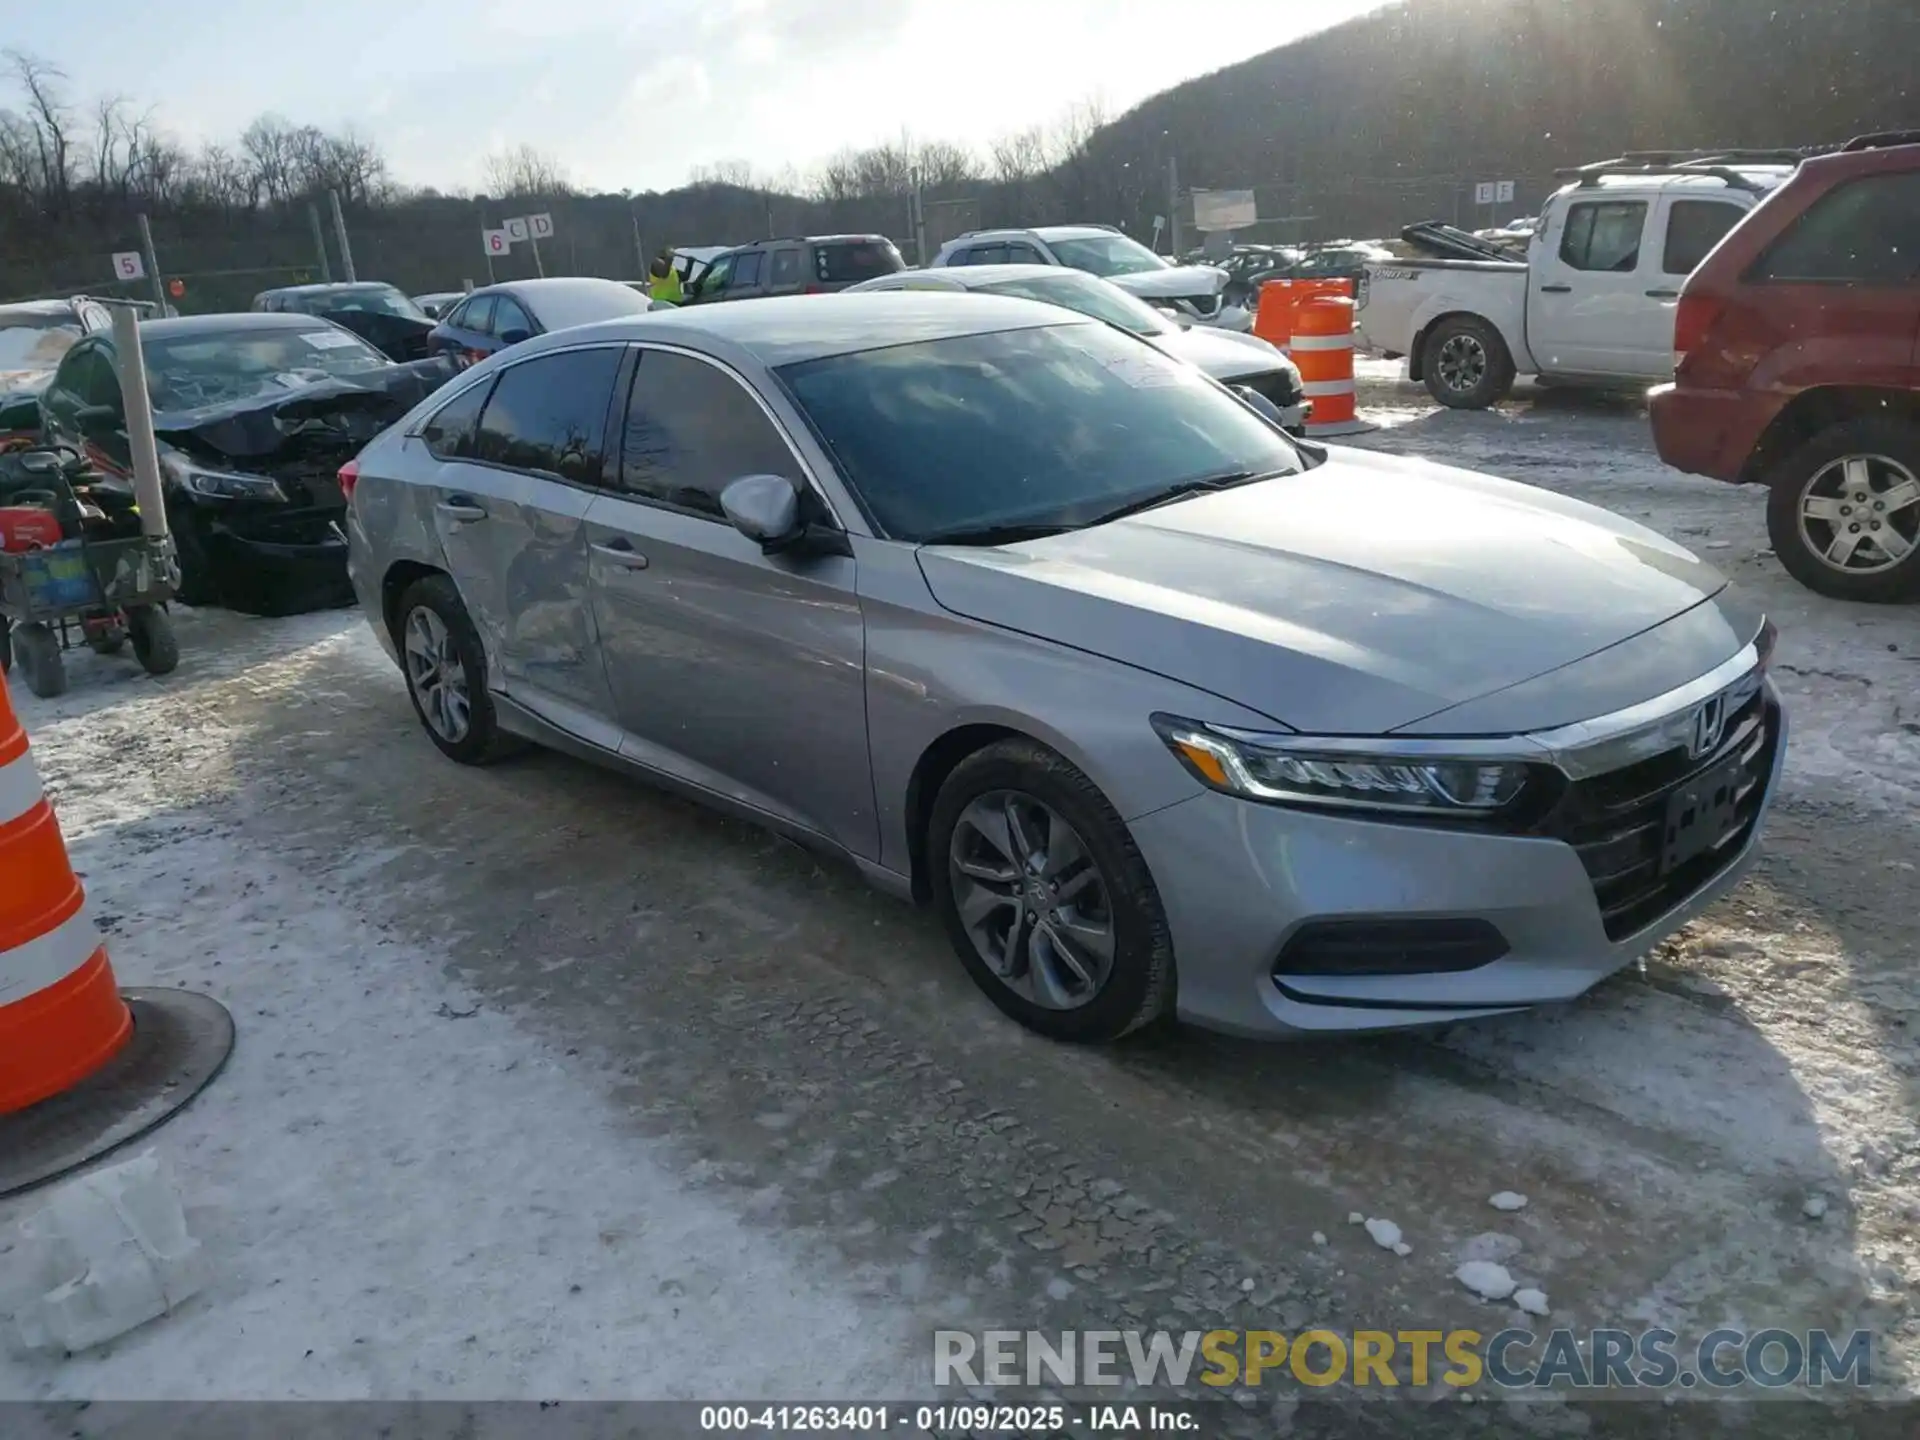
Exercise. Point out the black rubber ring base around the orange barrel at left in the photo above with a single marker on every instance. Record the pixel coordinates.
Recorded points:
(180, 1044)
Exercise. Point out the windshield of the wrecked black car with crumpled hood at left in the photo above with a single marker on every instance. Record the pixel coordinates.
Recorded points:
(218, 370)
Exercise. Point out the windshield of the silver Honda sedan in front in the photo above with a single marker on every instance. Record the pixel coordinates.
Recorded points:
(1045, 427)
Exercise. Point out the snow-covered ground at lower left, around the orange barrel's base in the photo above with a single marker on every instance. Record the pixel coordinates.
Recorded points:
(400, 1191)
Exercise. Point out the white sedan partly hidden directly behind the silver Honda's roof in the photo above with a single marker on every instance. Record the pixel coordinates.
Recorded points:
(1232, 358)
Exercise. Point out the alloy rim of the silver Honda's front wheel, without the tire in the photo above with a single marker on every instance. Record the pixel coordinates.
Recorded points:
(1032, 900)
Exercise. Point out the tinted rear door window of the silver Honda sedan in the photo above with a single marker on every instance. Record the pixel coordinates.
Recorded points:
(550, 414)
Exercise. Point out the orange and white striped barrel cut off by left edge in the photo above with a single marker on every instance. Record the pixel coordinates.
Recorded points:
(60, 1011)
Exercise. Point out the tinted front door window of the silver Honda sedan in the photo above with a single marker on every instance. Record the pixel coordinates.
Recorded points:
(692, 431)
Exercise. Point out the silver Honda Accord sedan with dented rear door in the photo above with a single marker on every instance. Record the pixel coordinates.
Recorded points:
(1163, 711)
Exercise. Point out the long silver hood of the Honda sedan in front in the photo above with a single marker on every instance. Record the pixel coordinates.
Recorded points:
(1358, 598)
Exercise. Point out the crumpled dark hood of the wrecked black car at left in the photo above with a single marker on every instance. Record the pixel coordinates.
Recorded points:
(306, 429)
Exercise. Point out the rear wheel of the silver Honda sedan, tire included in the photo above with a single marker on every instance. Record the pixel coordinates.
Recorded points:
(446, 673)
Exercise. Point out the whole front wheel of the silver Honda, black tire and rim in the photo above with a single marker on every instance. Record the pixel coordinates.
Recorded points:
(1047, 900)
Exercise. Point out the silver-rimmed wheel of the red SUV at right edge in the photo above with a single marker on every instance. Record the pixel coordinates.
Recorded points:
(1844, 512)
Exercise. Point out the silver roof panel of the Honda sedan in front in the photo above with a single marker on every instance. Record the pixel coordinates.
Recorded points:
(794, 329)
